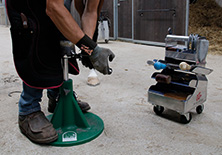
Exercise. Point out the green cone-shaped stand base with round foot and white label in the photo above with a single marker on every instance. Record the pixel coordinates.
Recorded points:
(73, 126)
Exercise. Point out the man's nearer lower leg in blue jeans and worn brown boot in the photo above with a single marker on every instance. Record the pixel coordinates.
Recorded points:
(32, 121)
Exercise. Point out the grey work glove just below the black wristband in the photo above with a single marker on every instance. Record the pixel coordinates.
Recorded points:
(99, 59)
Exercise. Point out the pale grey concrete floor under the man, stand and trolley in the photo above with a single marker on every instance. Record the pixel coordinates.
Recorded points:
(131, 126)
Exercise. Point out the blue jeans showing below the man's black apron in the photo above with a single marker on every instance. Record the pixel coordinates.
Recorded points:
(31, 97)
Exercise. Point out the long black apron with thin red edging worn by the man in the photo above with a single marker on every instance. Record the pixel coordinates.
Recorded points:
(35, 42)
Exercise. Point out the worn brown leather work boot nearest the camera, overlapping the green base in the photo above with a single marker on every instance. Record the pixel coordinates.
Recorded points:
(37, 128)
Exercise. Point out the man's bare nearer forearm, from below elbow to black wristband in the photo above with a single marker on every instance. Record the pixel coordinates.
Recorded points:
(63, 20)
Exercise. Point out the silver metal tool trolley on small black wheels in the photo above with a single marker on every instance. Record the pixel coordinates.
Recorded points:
(182, 84)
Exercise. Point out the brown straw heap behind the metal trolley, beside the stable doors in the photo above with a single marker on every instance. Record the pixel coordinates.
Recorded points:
(205, 19)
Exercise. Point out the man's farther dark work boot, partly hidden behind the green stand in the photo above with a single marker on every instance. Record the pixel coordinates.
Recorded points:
(84, 106)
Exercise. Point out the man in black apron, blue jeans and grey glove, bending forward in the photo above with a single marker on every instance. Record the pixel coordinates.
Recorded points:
(36, 27)
